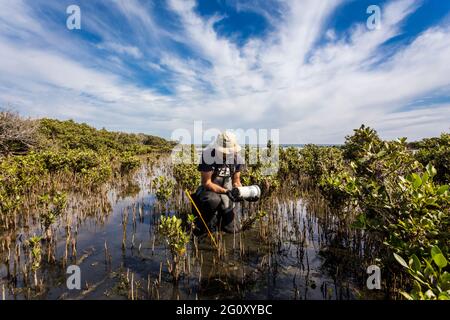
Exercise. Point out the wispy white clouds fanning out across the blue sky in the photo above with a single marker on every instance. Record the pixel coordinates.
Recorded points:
(281, 80)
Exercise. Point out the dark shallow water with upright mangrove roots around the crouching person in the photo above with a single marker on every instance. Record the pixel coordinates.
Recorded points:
(298, 251)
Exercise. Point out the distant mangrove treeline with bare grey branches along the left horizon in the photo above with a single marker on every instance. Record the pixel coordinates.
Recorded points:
(19, 135)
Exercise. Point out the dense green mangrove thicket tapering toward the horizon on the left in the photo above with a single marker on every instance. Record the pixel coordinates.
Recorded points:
(49, 159)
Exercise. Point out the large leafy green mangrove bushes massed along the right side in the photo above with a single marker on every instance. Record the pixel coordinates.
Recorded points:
(397, 194)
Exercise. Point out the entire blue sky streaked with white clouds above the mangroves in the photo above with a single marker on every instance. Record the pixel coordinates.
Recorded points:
(311, 69)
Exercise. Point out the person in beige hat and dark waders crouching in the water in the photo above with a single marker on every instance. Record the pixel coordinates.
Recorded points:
(220, 169)
